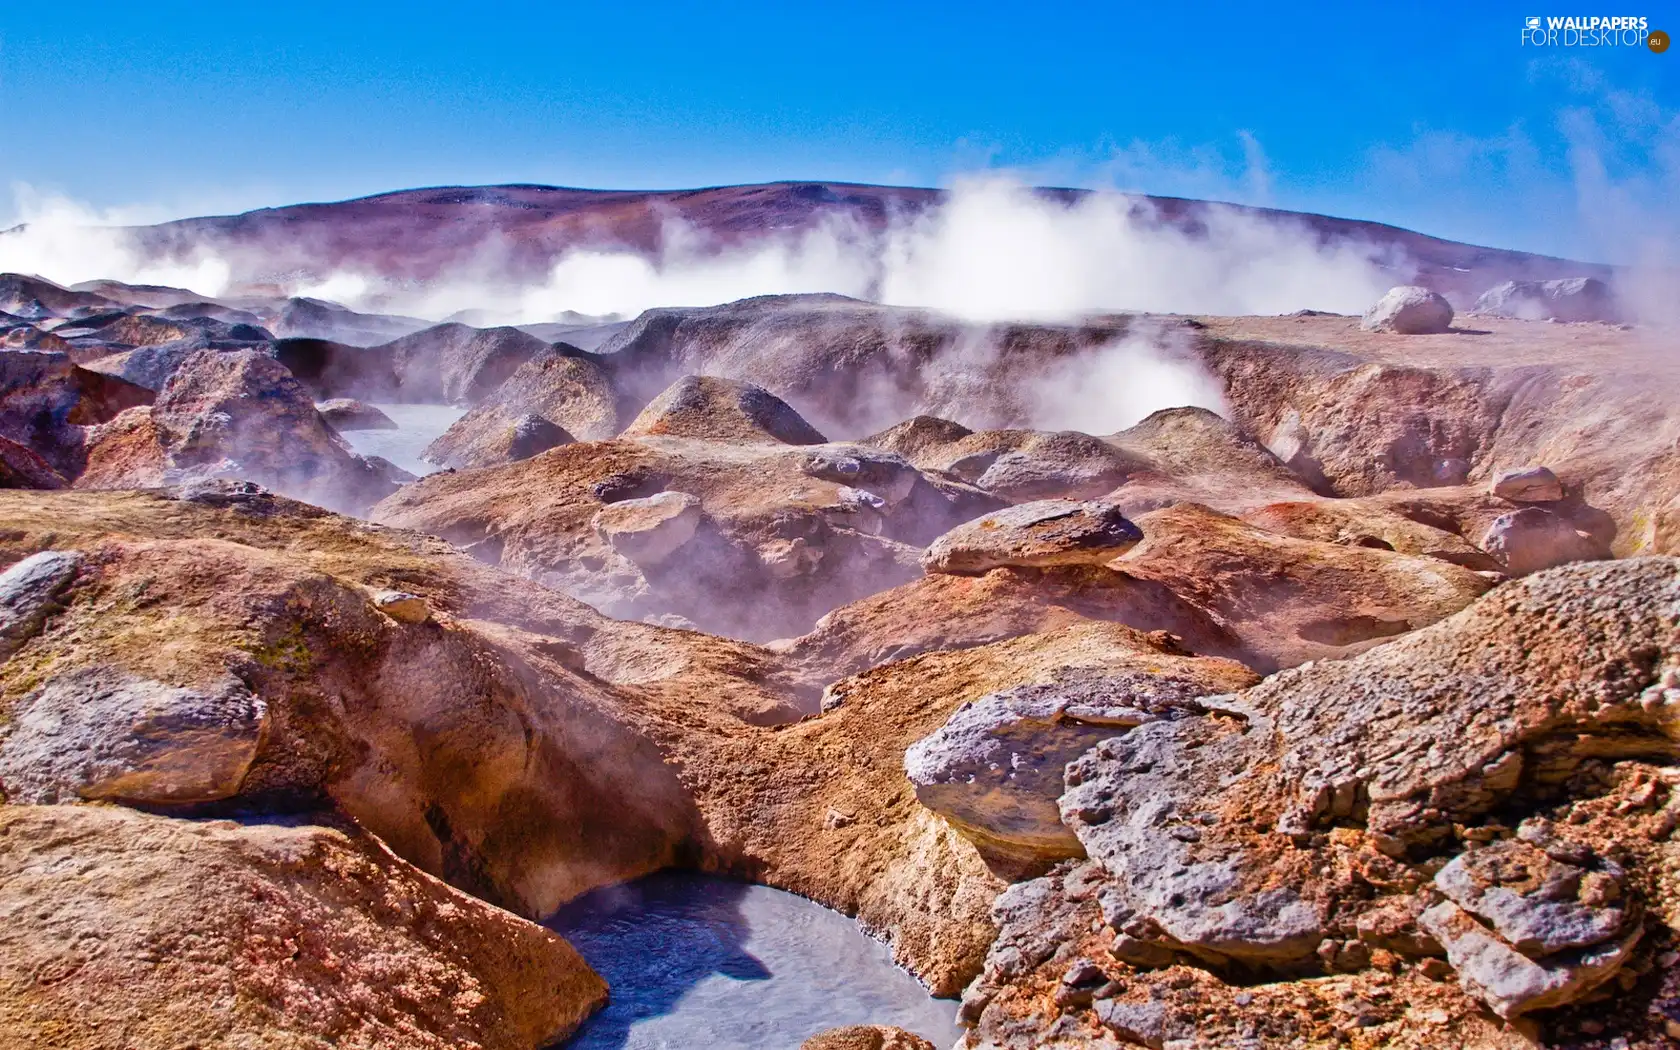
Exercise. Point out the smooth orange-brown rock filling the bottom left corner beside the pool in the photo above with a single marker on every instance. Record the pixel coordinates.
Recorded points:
(150, 933)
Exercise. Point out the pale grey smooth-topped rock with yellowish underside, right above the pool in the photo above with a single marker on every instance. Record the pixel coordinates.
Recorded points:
(995, 769)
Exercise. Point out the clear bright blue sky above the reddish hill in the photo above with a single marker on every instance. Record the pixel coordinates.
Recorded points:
(1431, 117)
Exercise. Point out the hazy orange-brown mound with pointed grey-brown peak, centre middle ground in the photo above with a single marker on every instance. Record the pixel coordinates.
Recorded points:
(740, 533)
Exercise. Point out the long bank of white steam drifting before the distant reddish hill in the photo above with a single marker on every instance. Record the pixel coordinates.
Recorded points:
(994, 251)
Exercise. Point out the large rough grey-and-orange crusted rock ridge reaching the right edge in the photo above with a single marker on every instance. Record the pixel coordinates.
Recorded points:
(1550, 673)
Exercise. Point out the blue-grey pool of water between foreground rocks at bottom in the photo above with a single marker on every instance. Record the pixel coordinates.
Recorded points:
(700, 962)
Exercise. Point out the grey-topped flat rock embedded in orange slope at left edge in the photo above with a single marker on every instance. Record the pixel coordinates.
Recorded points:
(102, 733)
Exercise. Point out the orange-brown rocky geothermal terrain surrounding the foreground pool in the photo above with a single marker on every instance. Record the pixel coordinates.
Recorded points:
(1333, 710)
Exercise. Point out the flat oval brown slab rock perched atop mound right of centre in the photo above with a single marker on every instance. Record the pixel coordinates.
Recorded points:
(1034, 535)
